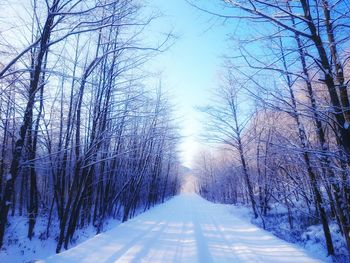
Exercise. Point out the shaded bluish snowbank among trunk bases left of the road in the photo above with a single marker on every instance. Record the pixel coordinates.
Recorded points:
(18, 248)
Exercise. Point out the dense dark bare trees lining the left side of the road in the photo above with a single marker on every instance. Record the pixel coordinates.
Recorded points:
(83, 138)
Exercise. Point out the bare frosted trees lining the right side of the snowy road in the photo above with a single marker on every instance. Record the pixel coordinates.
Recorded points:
(282, 113)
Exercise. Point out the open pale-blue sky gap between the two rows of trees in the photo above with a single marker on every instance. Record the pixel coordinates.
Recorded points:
(190, 68)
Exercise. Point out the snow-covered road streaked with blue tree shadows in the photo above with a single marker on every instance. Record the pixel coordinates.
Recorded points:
(185, 229)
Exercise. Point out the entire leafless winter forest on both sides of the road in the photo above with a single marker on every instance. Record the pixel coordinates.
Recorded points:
(88, 134)
